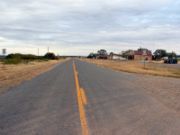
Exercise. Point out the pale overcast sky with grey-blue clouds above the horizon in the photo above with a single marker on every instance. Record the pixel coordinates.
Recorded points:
(77, 27)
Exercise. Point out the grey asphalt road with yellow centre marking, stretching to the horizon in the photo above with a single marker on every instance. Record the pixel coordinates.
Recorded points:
(83, 99)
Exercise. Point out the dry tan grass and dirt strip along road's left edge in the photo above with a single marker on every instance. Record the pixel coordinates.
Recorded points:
(12, 75)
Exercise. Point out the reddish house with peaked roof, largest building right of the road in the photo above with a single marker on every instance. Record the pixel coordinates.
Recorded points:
(142, 54)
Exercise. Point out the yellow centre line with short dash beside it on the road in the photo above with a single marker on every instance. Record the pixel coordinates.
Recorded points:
(82, 100)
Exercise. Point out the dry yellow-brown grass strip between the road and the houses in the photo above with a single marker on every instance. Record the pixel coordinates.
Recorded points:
(138, 67)
